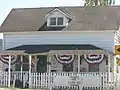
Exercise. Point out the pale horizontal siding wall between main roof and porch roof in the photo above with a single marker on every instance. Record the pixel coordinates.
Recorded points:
(104, 40)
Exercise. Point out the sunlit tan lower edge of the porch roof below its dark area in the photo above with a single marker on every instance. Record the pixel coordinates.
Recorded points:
(54, 52)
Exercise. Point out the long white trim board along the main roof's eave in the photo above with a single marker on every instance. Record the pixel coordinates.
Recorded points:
(59, 32)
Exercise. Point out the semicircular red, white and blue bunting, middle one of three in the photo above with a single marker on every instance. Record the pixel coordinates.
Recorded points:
(65, 58)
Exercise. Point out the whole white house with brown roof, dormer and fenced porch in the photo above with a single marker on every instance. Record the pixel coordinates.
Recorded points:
(61, 41)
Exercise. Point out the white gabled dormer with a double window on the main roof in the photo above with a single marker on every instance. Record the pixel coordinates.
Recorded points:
(57, 18)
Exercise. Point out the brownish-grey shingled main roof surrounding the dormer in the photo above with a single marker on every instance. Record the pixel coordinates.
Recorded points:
(83, 18)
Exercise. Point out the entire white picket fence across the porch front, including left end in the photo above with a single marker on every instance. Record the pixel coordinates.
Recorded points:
(64, 80)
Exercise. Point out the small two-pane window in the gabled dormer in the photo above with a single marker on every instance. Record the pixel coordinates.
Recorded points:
(56, 21)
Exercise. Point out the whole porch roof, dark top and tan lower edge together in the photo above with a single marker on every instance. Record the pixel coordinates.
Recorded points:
(55, 49)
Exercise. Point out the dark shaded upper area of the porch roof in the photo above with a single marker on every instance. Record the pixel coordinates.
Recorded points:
(47, 48)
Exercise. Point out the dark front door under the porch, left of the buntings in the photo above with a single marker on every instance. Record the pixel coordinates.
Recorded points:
(42, 63)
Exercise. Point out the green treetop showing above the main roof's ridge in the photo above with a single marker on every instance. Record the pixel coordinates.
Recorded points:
(99, 2)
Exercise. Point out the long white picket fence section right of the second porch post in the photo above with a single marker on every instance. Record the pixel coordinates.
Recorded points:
(72, 80)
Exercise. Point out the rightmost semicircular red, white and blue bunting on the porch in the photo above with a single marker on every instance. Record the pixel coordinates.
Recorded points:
(93, 58)
